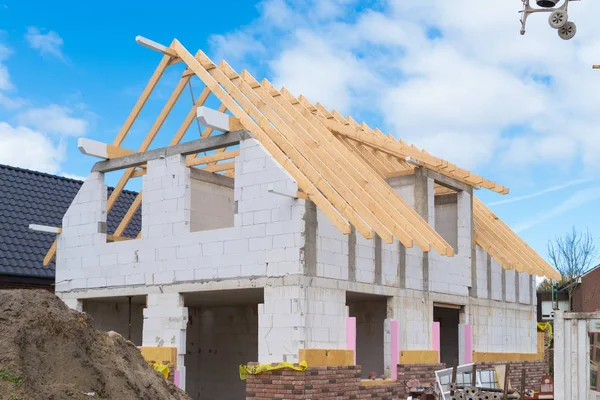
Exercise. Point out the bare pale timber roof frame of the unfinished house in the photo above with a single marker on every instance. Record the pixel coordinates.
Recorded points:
(338, 163)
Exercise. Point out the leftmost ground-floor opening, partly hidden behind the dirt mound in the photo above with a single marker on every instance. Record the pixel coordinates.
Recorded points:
(123, 315)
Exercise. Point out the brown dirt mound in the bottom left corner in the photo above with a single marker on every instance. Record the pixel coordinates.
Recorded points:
(48, 351)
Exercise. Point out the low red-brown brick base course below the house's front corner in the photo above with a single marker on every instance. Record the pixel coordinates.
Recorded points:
(333, 382)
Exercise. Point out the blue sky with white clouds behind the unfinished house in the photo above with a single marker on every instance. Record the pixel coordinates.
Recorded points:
(455, 78)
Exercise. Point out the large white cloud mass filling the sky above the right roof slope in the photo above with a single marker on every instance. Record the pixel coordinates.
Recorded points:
(477, 93)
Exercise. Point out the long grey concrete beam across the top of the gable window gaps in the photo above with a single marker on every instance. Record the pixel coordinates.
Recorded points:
(195, 146)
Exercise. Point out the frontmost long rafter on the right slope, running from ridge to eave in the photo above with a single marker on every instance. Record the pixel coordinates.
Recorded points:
(312, 192)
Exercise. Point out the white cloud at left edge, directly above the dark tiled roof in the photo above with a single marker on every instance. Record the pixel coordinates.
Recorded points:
(27, 148)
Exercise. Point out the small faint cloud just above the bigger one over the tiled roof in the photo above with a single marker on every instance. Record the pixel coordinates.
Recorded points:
(54, 119)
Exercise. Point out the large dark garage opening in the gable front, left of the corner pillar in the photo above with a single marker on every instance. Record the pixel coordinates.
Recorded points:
(222, 333)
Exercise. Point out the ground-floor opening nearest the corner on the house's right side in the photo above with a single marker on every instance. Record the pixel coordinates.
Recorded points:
(370, 312)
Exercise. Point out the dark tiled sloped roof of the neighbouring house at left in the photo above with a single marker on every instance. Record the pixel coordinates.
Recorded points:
(30, 197)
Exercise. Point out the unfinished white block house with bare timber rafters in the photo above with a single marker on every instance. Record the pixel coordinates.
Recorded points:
(285, 232)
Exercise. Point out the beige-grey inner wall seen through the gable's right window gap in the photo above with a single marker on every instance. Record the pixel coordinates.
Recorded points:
(212, 206)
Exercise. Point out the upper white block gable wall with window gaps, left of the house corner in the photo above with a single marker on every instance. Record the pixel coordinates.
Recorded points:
(270, 246)
